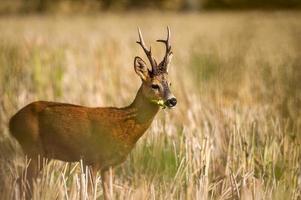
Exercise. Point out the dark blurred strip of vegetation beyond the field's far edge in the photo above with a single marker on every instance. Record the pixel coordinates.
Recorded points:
(80, 6)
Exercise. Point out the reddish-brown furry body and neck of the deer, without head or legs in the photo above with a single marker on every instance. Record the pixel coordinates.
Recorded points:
(67, 132)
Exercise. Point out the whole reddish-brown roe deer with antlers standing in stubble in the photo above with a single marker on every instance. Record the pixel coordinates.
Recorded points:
(101, 137)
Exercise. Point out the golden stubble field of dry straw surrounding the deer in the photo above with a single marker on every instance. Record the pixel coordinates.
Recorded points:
(235, 133)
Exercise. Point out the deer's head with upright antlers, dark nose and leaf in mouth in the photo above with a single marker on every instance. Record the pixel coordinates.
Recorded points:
(155, 84)
